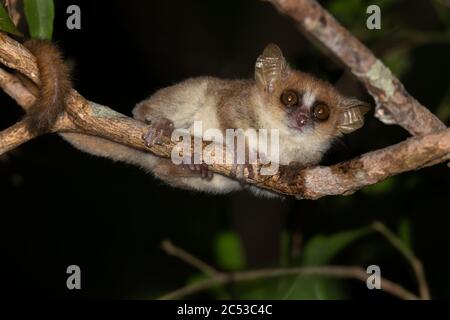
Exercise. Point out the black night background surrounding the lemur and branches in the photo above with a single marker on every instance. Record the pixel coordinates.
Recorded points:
(62, 207)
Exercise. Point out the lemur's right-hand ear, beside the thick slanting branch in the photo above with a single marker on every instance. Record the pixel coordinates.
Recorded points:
(351, 115)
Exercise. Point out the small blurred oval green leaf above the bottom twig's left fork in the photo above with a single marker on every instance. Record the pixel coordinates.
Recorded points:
(229, 251)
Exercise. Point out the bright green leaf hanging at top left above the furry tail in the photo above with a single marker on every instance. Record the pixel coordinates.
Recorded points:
(40, 15)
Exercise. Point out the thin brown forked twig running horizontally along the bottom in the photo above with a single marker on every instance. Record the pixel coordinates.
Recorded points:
(222, 278)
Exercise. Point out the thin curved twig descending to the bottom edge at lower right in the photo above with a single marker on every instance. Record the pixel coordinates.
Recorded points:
(415, 263)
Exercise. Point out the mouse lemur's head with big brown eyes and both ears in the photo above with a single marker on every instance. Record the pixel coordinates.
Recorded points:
(304, 103)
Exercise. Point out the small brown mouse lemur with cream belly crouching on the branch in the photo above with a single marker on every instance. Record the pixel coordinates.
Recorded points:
(307, 112)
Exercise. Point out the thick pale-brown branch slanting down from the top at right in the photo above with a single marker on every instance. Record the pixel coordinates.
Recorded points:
(393, 104)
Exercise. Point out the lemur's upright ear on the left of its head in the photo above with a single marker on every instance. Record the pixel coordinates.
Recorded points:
(270, 68)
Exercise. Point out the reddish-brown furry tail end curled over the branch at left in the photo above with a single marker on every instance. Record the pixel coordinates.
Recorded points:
(55, 84)
